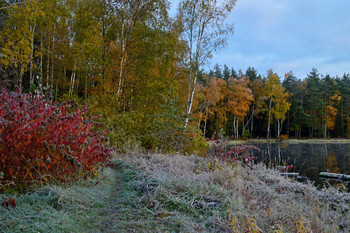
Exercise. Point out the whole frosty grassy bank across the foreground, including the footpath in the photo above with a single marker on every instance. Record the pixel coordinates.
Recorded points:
(175, 193)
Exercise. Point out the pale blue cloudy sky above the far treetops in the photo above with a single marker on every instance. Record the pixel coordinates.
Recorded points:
(288, 35)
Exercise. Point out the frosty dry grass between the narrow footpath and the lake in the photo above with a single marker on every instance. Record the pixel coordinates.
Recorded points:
(192, 194)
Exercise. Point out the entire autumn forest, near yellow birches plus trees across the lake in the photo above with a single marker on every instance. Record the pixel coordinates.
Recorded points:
(141, 69)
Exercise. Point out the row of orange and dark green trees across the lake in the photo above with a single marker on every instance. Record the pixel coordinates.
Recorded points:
(314, 107)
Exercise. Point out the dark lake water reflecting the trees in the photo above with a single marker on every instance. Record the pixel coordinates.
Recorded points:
(307, 159)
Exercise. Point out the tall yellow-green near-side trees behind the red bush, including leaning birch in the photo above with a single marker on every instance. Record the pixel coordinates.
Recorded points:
(128, 60)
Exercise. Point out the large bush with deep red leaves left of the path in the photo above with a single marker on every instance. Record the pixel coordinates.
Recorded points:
(40, 139)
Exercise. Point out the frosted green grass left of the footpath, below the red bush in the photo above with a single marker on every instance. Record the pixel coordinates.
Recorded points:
(59, 208)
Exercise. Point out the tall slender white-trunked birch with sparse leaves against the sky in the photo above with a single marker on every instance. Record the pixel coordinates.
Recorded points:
(205, 32)
